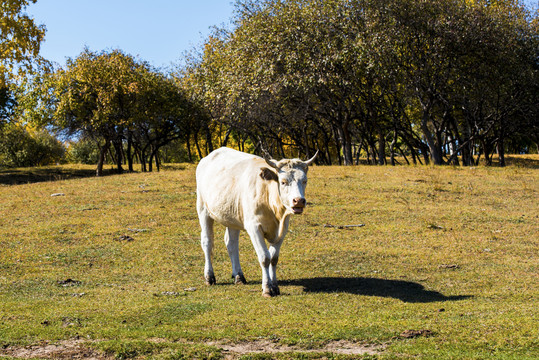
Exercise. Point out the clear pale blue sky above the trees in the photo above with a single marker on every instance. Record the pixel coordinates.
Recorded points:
(158, 31)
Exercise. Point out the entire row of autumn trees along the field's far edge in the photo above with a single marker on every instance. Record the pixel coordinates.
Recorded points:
(441, 81)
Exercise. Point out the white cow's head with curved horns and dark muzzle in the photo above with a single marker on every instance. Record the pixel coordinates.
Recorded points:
(292, 180)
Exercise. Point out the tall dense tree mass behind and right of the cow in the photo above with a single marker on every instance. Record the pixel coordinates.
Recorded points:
(439, 80)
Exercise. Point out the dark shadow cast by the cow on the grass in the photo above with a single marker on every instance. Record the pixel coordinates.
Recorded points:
(406, 291)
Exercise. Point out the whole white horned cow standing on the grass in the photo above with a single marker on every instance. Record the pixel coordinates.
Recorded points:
(246, 192)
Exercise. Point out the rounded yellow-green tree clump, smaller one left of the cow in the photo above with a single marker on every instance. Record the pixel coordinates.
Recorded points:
(111, 99)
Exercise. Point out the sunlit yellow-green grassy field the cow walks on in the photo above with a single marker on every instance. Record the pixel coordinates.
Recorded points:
(446, 267)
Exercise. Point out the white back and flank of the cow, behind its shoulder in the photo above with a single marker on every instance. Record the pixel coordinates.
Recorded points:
(224, 178)
